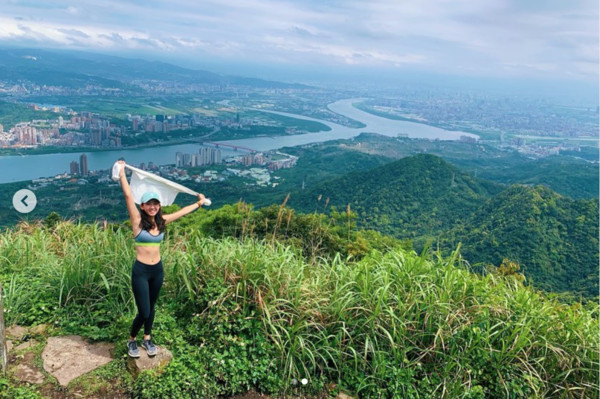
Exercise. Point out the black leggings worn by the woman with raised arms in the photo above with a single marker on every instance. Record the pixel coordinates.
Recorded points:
(146, 281)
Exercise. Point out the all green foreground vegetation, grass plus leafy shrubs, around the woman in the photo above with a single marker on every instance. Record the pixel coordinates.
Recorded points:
(243, 313)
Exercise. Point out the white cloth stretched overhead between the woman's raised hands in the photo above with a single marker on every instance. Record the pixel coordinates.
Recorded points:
(142, 181)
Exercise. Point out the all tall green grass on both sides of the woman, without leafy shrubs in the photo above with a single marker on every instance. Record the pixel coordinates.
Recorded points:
(394, 324)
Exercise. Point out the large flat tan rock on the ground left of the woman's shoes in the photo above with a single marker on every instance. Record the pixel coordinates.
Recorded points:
(69, 357)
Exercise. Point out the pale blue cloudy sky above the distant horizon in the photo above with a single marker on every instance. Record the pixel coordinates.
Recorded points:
(514, 38)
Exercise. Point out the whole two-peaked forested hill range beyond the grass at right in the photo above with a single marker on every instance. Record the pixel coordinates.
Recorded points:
(553, 238)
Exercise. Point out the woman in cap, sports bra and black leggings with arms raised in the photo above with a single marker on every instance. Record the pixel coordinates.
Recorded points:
(148, 224)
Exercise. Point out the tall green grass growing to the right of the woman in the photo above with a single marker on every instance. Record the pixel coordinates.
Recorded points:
(400, 315)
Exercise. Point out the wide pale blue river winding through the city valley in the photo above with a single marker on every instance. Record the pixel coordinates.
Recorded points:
(28, 167)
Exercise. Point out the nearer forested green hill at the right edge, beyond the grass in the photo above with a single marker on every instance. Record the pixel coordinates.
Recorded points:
(553, 238)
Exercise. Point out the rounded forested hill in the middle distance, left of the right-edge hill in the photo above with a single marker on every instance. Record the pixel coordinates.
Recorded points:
(413, 197)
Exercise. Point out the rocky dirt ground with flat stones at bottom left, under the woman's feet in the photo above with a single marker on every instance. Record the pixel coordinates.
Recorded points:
(71, 367)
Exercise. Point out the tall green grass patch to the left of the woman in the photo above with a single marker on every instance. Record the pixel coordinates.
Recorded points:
(78, 267)
